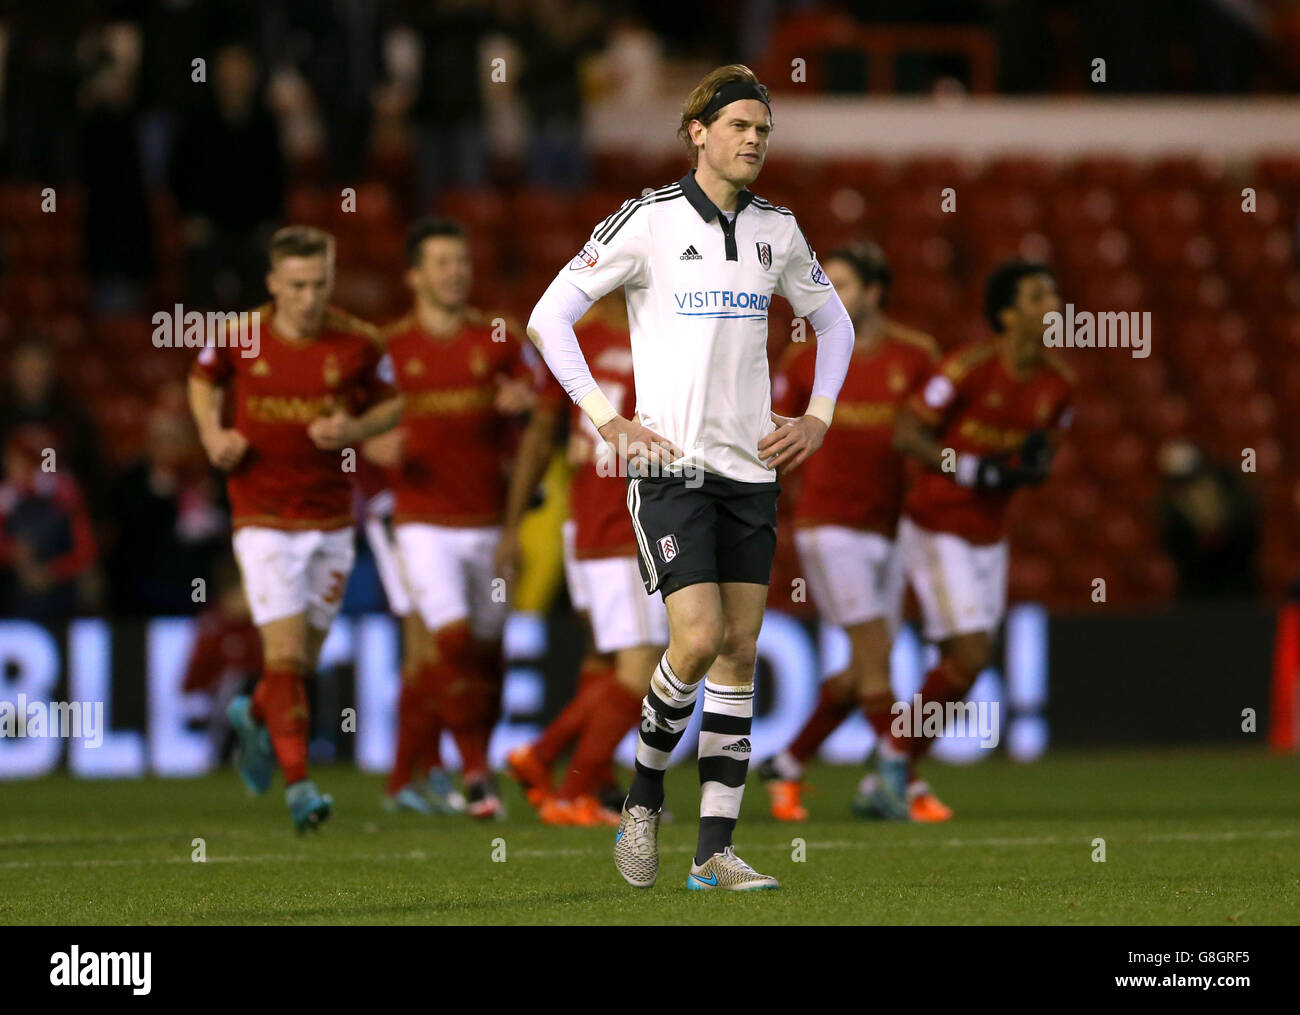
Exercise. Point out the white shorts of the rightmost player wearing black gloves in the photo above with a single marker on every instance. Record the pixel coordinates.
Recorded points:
(961, 587)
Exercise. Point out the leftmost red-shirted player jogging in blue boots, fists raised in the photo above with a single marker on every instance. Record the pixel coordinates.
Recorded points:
(317, 389)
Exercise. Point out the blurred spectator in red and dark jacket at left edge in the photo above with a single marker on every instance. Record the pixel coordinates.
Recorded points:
(46, 540)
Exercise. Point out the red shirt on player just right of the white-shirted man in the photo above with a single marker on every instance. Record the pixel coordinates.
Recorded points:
(856, 479)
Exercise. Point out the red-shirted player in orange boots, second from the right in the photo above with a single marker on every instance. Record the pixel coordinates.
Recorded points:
(847, 517)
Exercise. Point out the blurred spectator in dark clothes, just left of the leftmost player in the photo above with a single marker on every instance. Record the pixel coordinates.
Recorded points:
(170, 527)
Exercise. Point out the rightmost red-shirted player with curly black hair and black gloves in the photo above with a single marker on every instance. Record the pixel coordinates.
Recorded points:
(981, 427)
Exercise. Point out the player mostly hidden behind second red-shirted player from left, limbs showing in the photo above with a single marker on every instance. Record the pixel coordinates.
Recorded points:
(431, 793)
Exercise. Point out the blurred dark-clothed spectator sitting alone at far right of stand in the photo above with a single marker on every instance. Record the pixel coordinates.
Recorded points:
(1210, 523)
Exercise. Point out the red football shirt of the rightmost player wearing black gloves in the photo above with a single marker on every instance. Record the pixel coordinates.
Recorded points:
(980, 406)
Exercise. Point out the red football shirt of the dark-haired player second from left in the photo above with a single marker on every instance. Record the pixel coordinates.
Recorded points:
(458, 446)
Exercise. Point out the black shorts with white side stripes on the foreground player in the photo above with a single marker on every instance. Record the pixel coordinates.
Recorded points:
(691, 532)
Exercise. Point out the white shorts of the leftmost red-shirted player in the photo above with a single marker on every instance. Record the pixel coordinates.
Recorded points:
(287, 574)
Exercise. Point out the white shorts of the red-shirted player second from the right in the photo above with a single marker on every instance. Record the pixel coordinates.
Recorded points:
(855, 576)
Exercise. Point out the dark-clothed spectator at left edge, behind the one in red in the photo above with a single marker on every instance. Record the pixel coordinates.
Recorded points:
(36, 397)
